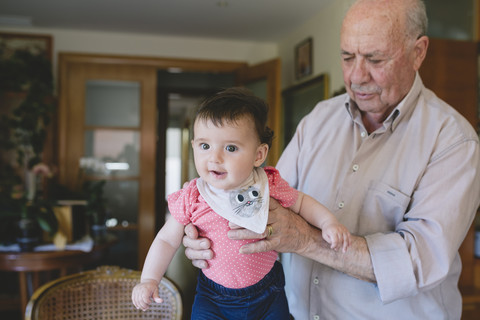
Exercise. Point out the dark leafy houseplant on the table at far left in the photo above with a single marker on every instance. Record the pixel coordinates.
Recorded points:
(27, 77)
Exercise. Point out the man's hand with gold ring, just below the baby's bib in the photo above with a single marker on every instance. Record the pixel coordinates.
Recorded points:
(290, 232)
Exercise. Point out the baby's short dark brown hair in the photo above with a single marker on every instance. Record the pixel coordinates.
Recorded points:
(231, 104)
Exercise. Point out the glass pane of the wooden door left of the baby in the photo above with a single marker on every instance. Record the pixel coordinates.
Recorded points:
(112, 152)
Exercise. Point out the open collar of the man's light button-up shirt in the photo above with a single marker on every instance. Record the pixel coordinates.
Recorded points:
(404, 107)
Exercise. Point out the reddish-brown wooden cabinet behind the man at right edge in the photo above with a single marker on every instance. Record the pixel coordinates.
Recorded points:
(451, 71)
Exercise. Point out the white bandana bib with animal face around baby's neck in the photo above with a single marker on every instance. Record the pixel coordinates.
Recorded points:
(246, 206)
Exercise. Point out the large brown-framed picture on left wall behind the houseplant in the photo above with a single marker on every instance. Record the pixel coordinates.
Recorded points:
(26, 100)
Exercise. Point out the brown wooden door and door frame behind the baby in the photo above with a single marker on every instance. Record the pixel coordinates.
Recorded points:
(76, 69)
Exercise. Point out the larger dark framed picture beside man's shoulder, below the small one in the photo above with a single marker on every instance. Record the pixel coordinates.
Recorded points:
(299, 100)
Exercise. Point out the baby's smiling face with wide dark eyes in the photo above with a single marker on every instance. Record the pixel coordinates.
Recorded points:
(226, 155)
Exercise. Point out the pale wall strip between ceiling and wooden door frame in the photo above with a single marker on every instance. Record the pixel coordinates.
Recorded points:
(153, 46)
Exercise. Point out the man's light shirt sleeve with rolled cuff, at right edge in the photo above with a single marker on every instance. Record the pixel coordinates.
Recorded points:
(422, 251)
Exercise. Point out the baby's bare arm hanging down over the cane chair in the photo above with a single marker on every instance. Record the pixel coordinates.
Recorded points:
(159, 256)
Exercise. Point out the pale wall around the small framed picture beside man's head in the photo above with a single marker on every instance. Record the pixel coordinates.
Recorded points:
(324, 28)
